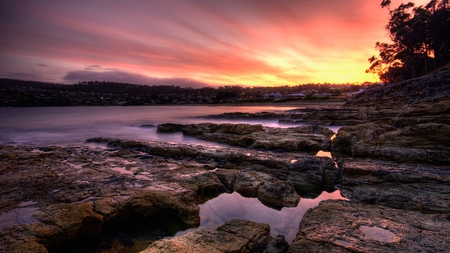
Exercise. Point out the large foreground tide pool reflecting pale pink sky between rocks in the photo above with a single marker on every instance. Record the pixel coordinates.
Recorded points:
(227, 206)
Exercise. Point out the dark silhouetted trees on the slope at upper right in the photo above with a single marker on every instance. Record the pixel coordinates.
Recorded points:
(420, 41)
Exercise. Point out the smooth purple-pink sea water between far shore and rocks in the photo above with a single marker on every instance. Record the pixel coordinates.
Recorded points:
(73, 125)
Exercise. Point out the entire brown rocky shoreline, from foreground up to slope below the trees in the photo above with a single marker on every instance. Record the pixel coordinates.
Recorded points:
(390, 161)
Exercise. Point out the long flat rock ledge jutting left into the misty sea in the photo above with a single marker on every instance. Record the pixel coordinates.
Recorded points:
(302, 138)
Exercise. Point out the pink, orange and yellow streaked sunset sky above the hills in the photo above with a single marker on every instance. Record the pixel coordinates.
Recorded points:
(191, 43)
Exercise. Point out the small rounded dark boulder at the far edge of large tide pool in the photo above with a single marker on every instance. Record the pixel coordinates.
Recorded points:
(278, 195)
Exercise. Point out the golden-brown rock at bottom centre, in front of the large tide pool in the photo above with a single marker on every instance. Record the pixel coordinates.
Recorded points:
(233, 236)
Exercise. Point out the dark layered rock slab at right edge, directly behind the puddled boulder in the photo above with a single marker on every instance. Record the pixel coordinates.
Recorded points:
(419, 187)
